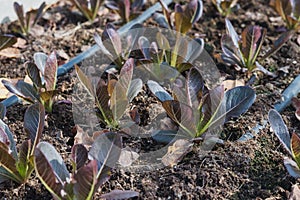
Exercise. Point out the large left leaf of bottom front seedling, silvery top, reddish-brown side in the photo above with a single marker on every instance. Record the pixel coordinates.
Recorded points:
(45, 170)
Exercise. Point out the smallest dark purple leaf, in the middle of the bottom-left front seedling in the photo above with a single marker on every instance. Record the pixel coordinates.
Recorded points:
(79, 155)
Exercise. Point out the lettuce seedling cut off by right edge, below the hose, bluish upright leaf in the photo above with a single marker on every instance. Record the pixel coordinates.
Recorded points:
(292, 145)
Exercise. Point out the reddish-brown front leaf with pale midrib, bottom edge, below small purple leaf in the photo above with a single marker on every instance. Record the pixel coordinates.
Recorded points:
(86, 181)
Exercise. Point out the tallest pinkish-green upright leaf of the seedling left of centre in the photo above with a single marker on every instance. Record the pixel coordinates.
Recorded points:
(119, 99)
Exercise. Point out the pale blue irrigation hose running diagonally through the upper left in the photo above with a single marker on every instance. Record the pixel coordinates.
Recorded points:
(63, 69)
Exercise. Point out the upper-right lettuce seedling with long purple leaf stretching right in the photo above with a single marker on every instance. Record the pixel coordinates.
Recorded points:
(242, 52)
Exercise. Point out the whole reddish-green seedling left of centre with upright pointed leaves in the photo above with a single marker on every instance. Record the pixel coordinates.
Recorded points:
(113, 96)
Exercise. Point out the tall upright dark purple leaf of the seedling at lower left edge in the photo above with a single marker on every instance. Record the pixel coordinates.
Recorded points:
(34, 120)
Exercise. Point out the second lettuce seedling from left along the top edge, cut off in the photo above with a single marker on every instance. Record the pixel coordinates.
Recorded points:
(89, 8)
